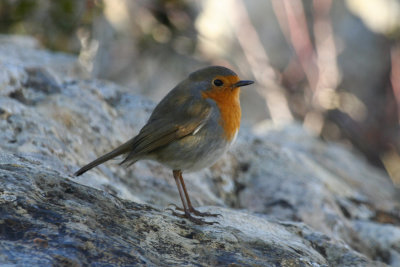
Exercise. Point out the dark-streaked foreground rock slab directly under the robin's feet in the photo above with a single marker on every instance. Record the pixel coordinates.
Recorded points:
(47, 219)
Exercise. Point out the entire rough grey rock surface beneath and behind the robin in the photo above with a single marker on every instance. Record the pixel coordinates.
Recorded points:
(286, 198)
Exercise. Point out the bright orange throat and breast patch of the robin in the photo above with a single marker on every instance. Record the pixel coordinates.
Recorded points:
(229, 106)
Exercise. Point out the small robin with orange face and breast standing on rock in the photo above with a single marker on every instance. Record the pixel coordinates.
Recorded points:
(189, 129)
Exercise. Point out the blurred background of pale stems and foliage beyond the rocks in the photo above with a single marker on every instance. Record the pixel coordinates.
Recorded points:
(333, 66)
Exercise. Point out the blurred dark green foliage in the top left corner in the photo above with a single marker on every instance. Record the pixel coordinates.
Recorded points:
(54, 23)
